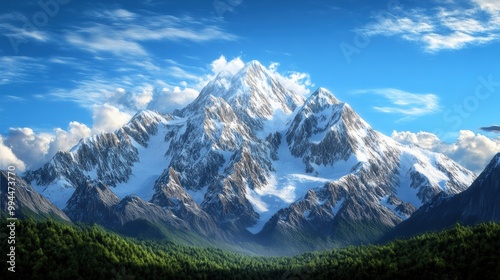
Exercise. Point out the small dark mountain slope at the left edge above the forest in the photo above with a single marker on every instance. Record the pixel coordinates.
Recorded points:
(27, 202)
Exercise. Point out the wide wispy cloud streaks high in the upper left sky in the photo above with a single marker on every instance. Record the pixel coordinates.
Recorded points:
(123, 32)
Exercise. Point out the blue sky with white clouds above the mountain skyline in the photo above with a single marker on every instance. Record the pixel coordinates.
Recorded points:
(423, 73)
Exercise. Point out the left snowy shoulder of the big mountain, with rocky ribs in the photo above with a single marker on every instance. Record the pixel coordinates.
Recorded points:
(127, 159)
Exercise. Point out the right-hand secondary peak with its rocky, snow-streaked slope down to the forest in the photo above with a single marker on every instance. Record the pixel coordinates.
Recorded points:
(372, 182)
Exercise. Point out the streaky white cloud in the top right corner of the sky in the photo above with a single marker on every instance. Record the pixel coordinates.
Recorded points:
(447, 27)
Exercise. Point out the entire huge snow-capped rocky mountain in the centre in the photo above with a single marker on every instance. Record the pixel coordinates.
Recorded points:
(253, 160)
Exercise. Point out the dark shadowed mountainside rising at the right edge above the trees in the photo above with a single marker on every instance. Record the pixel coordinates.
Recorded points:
(479, 203)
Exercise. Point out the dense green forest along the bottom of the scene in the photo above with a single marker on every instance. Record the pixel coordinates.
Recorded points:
(50, 250)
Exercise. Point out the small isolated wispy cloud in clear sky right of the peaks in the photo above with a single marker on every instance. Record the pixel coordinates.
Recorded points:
(405, 103)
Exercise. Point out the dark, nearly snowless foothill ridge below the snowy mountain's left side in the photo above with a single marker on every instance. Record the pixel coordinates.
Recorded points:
(95, 202)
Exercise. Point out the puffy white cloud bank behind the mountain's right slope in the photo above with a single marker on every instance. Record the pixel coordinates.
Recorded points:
(473, 151)
